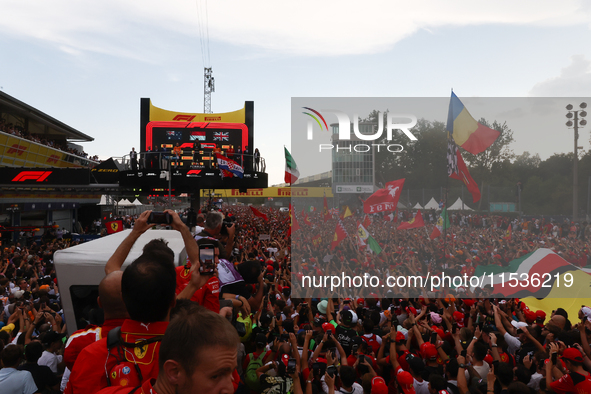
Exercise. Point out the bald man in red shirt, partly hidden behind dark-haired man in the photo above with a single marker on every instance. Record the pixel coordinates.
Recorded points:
(111, 301)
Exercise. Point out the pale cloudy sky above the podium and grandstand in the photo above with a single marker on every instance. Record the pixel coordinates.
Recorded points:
(88, 64)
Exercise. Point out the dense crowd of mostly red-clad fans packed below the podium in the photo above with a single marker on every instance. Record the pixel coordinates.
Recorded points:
(235, 317)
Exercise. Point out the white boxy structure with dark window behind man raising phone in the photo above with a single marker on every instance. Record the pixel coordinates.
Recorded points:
(80, 269)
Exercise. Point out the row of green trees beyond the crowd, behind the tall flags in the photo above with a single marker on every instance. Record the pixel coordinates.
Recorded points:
(546, 185)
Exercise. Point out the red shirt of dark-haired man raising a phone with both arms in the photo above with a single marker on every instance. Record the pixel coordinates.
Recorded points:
(88, 375)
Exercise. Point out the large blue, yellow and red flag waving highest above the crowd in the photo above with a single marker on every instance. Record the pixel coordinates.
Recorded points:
(467, 132)
